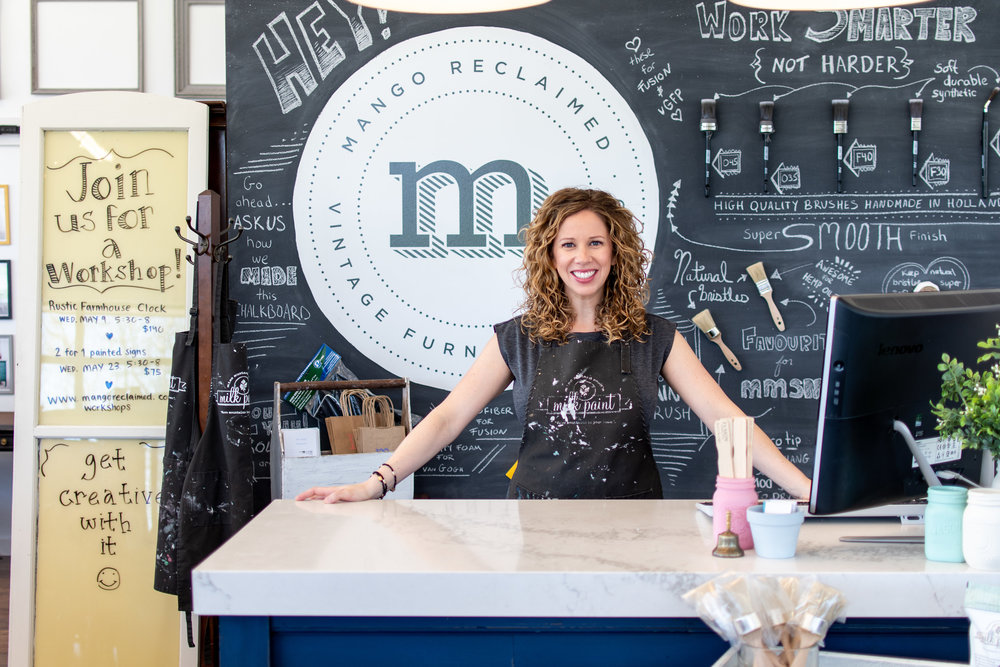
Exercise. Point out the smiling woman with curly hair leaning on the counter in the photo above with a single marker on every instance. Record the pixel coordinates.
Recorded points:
(584, 357)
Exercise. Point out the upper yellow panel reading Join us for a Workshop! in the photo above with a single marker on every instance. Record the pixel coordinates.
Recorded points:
(112, 274)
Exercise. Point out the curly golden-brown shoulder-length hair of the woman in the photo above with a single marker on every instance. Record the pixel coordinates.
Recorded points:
(547, 314)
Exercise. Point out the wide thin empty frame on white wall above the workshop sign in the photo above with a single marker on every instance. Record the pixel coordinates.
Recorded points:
(66, 59)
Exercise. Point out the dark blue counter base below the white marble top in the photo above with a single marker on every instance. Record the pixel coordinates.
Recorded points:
(254, 641)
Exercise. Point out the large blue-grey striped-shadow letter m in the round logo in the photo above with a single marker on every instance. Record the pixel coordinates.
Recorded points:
(477, 191)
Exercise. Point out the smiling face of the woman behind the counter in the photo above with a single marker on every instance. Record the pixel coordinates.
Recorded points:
(582, 255)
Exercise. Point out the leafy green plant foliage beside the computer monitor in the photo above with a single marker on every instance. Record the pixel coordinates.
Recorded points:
(969, 409)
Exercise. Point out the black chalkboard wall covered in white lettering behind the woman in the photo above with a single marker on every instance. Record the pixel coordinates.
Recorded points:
(381, 163)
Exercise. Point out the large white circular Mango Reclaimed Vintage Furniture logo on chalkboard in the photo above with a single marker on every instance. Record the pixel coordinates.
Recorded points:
(422, 168)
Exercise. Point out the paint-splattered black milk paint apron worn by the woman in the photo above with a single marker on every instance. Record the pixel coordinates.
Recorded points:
(585, 434)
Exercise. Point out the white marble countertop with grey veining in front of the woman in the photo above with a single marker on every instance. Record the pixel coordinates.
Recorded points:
(542, 558)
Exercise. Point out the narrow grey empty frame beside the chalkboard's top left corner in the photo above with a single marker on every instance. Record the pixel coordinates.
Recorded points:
(200, 49)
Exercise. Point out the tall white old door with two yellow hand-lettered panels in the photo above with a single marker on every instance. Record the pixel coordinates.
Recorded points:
(106, 176)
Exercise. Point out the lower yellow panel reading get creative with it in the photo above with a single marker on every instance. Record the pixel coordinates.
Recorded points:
(98, 504)
